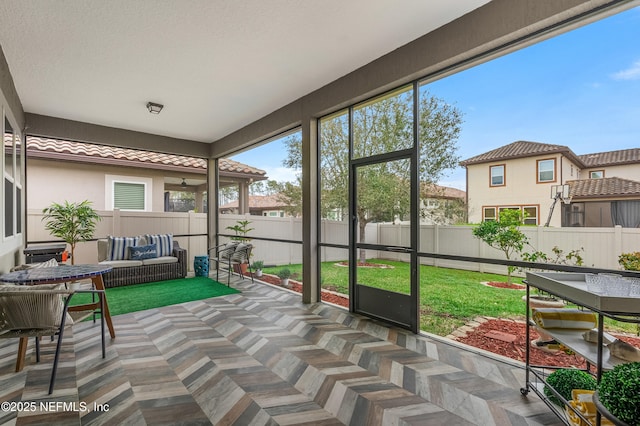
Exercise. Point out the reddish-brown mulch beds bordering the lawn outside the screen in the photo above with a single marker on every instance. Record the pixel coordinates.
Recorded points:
(514, 350)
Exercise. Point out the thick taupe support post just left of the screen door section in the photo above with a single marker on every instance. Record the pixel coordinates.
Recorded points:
(310, 212)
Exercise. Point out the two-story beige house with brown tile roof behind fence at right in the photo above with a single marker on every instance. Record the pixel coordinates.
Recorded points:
(603, 187)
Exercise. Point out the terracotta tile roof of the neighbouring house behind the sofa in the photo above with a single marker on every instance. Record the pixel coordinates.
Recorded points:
(81, 149)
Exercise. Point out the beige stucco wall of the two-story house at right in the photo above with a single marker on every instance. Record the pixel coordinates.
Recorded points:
(521, 187)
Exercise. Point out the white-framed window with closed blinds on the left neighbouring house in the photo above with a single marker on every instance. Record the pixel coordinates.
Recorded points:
(128, 193)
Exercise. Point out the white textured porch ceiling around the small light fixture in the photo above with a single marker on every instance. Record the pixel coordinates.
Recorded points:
(216, 66)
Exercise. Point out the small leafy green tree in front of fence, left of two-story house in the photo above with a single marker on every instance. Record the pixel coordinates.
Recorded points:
(504, 235)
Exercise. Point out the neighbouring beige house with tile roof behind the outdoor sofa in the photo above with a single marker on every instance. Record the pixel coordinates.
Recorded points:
(128, 179)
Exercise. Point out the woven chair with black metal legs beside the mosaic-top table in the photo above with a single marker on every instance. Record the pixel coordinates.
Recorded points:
(43, 310)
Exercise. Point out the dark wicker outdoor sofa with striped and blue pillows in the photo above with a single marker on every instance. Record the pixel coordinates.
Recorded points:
(141, 259)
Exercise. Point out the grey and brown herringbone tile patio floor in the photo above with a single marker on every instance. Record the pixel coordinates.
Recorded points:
(261, 357)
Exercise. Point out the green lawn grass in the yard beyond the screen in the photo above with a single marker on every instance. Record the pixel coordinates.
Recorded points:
(449, 298)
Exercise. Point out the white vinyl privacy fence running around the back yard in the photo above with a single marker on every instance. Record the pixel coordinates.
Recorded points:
(600, 247)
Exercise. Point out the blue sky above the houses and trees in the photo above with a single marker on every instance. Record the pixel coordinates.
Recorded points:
(580, 89)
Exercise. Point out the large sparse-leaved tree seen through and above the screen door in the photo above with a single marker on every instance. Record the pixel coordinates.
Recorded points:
(383, 125)
